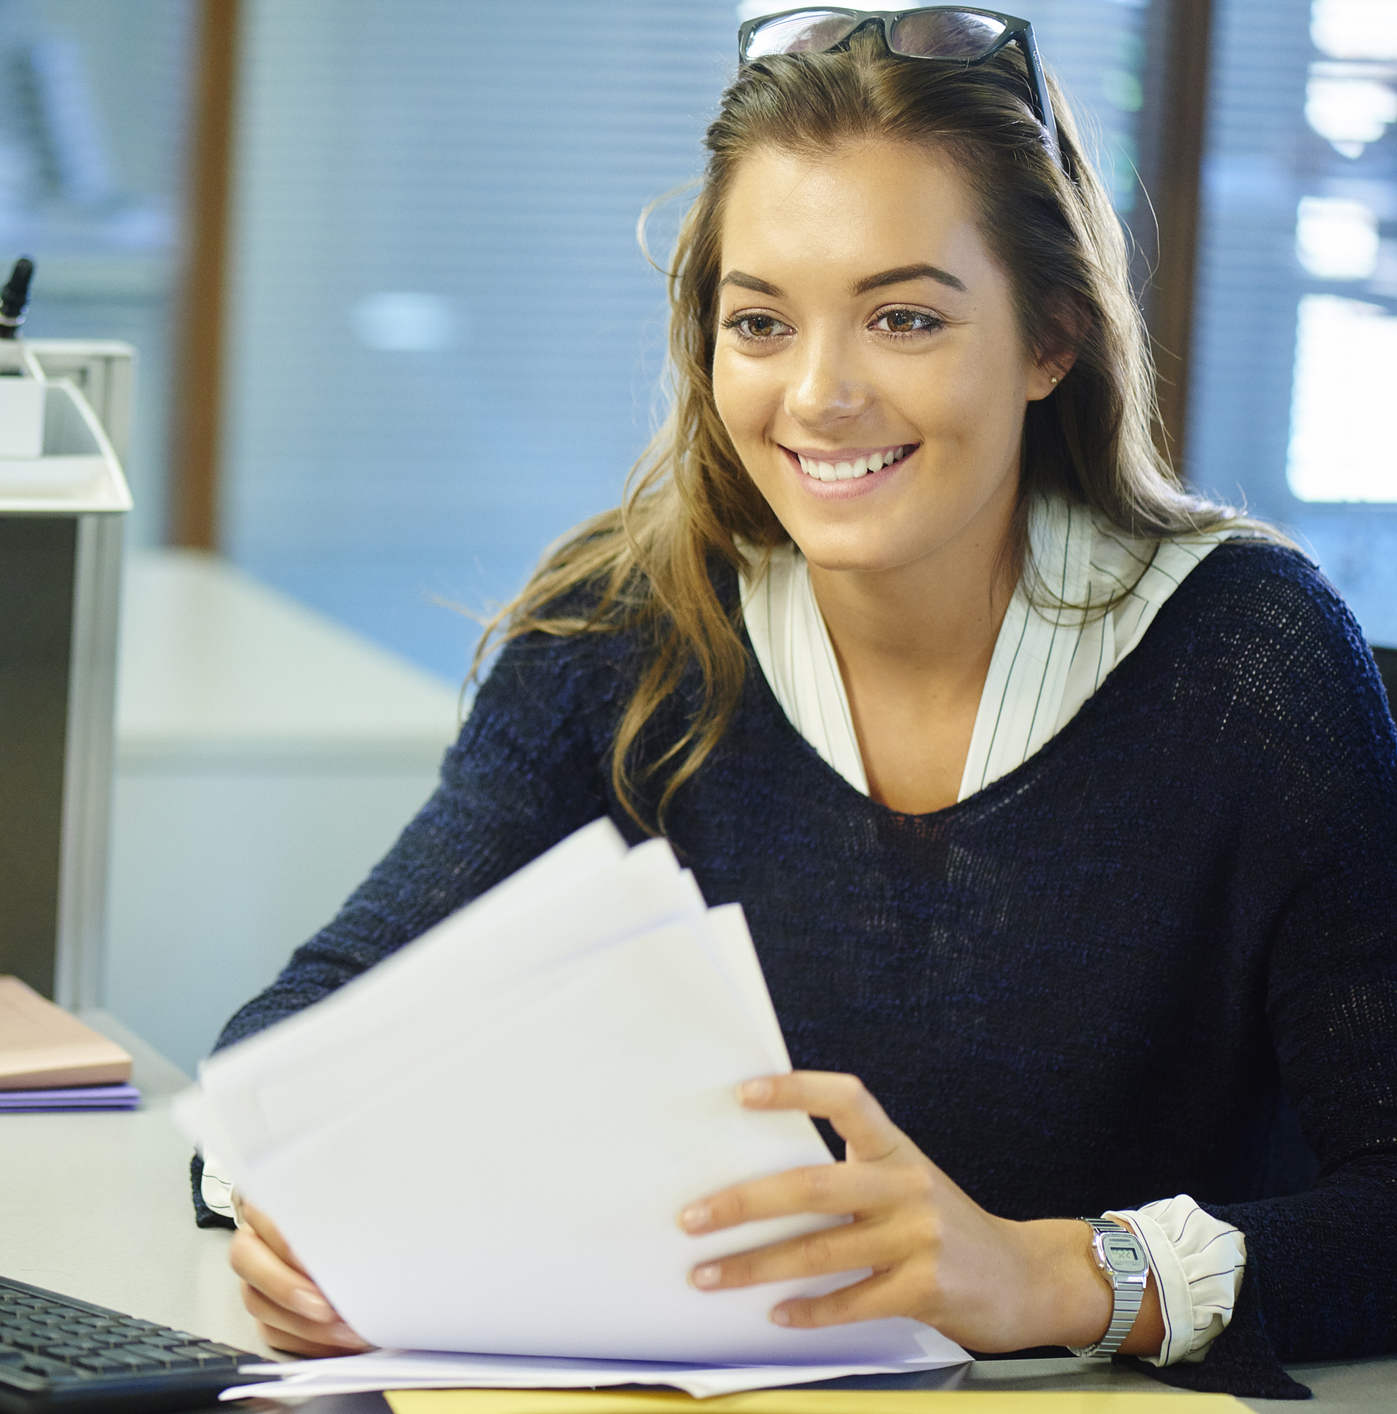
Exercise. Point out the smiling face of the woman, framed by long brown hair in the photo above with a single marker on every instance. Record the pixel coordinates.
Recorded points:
(869, 367)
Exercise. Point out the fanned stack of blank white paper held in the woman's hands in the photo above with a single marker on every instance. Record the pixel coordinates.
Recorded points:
(483, 1145)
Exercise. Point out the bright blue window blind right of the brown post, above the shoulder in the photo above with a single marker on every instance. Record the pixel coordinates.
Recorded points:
(1296, 325)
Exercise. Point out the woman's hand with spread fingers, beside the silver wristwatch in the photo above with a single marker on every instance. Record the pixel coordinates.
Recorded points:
(985, 1282)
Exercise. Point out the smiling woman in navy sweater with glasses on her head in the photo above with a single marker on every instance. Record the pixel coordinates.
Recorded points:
(1060, 801)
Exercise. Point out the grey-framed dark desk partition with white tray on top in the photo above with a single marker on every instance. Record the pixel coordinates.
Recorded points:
(63, 500)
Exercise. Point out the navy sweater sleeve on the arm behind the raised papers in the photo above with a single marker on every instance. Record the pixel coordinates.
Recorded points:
(525, 773)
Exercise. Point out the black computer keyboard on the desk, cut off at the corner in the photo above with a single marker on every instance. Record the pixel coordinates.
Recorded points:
(62, 1354)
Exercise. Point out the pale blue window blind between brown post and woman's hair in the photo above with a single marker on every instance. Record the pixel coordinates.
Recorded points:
(443, 333)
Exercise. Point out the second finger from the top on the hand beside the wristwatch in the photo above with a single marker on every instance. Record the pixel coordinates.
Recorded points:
(824, 1188)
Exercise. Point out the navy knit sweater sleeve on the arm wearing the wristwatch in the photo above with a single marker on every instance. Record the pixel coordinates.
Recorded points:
(1321, 1272)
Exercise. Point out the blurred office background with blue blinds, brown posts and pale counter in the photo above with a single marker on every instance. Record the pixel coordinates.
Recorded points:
(380, 262)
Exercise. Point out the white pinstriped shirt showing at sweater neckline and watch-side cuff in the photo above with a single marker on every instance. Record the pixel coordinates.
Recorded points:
(1050, 658)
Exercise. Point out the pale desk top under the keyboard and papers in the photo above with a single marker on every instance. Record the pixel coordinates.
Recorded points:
(98, 1207)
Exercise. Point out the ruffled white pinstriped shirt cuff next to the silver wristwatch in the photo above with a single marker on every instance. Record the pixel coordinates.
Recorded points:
(1197, 1262)
